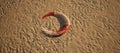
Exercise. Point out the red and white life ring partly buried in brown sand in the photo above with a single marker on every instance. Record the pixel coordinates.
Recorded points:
(62, 18)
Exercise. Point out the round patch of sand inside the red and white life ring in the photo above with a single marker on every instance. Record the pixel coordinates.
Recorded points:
(51, 23)
